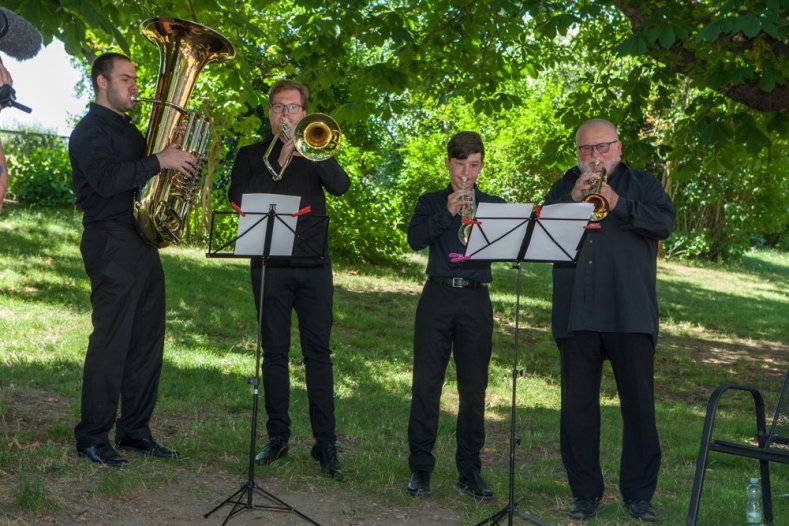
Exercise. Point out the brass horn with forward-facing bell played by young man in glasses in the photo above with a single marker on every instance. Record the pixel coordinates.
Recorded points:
(316, 137)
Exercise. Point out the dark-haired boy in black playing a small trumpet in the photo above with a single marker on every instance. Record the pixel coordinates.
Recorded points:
(454, 316)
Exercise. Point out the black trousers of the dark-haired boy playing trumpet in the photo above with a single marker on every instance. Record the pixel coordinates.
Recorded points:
(459, 322)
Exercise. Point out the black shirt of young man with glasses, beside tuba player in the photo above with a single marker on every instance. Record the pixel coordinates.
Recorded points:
(303, 178)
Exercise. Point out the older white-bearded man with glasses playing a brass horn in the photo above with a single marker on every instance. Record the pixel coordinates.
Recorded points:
(605, 308)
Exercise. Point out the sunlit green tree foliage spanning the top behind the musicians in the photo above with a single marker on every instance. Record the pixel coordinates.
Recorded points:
(401, 75)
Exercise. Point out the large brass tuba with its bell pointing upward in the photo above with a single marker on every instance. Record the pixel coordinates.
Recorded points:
(185, 47)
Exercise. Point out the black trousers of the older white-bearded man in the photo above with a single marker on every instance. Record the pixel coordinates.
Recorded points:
(632, 361)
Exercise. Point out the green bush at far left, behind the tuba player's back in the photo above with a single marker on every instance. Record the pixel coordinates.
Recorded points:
(39, 169)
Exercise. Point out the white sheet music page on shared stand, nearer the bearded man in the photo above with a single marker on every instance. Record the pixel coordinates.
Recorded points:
(565, 222)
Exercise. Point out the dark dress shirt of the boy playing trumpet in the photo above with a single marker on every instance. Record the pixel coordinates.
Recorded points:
(432, 225)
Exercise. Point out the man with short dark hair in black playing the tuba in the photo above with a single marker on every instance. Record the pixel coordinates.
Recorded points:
(124, 357)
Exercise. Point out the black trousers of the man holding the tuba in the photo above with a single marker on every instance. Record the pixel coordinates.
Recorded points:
(124, 357)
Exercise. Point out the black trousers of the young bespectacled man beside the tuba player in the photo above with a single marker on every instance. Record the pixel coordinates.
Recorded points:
(309, 292)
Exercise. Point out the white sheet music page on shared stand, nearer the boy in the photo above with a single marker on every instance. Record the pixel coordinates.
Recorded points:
(504, 225)
